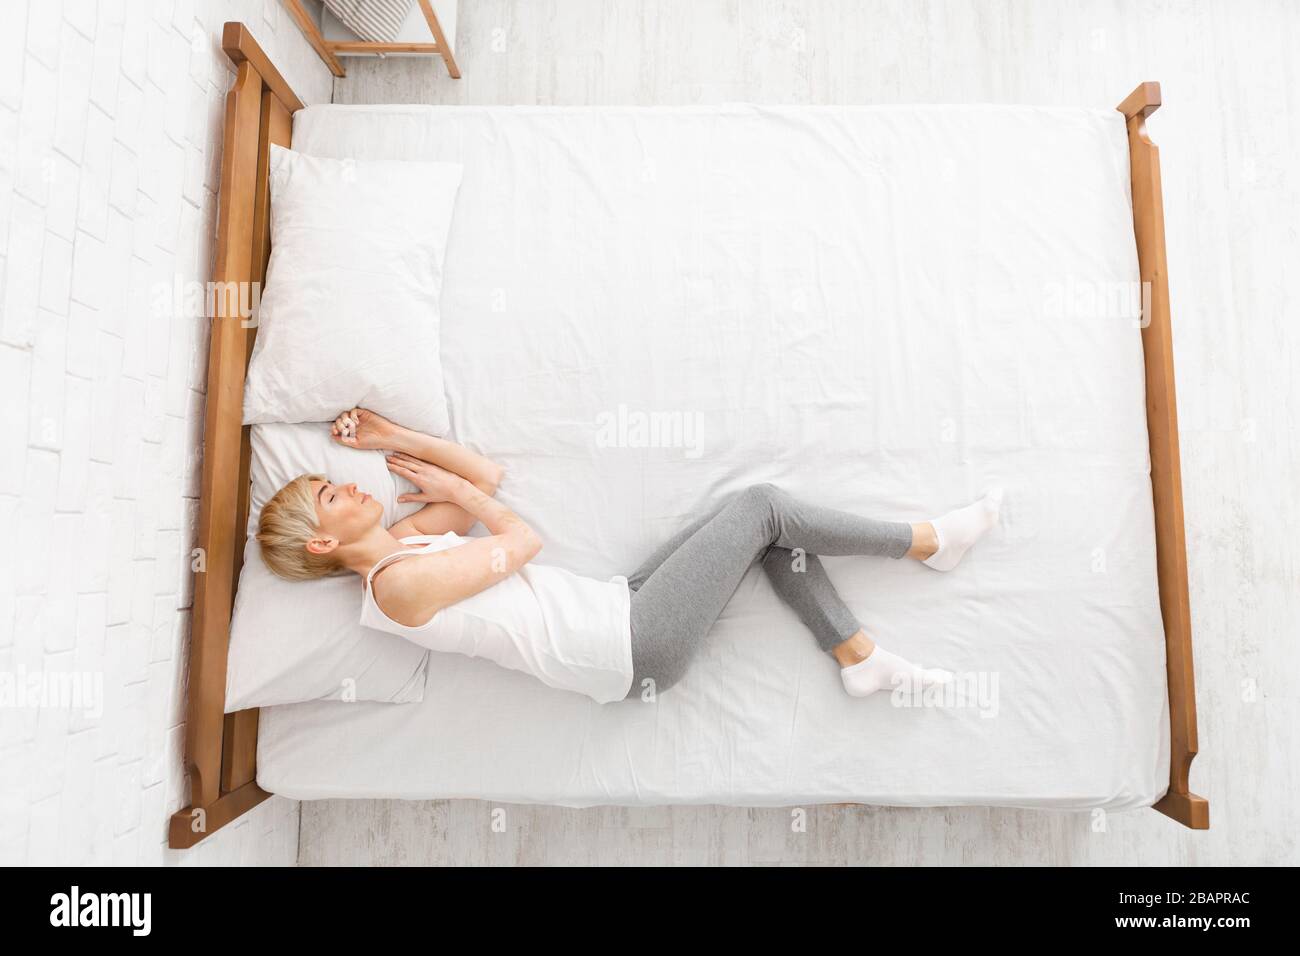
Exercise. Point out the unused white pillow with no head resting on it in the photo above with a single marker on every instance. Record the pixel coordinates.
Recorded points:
(349, 315)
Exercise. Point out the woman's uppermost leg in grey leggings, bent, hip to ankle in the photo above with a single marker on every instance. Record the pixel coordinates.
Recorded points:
(679, 602)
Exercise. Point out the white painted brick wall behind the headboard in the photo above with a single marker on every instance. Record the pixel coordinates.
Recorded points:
(110, 159)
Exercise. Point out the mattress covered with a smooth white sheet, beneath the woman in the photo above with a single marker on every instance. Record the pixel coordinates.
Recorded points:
(883, 310)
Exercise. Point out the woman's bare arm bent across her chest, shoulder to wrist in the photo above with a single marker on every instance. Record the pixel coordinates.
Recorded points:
(413, 591)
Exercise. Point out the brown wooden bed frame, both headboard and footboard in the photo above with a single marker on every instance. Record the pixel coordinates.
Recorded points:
(222, 750)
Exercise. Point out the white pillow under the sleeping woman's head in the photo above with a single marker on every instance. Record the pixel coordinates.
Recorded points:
(302, 641)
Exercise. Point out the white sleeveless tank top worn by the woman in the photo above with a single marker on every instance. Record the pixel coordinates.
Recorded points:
(569, 631)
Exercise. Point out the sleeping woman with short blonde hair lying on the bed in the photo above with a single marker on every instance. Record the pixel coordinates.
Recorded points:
(610, 641)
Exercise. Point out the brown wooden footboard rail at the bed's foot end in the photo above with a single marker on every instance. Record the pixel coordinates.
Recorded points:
(1167, 483)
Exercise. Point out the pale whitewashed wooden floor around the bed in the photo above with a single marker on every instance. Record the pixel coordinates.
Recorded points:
(1230, 140)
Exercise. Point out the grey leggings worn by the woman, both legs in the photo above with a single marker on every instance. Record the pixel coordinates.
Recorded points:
(679, 592)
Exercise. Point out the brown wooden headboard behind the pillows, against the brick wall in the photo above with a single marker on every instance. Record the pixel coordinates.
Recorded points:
(220, 750)
